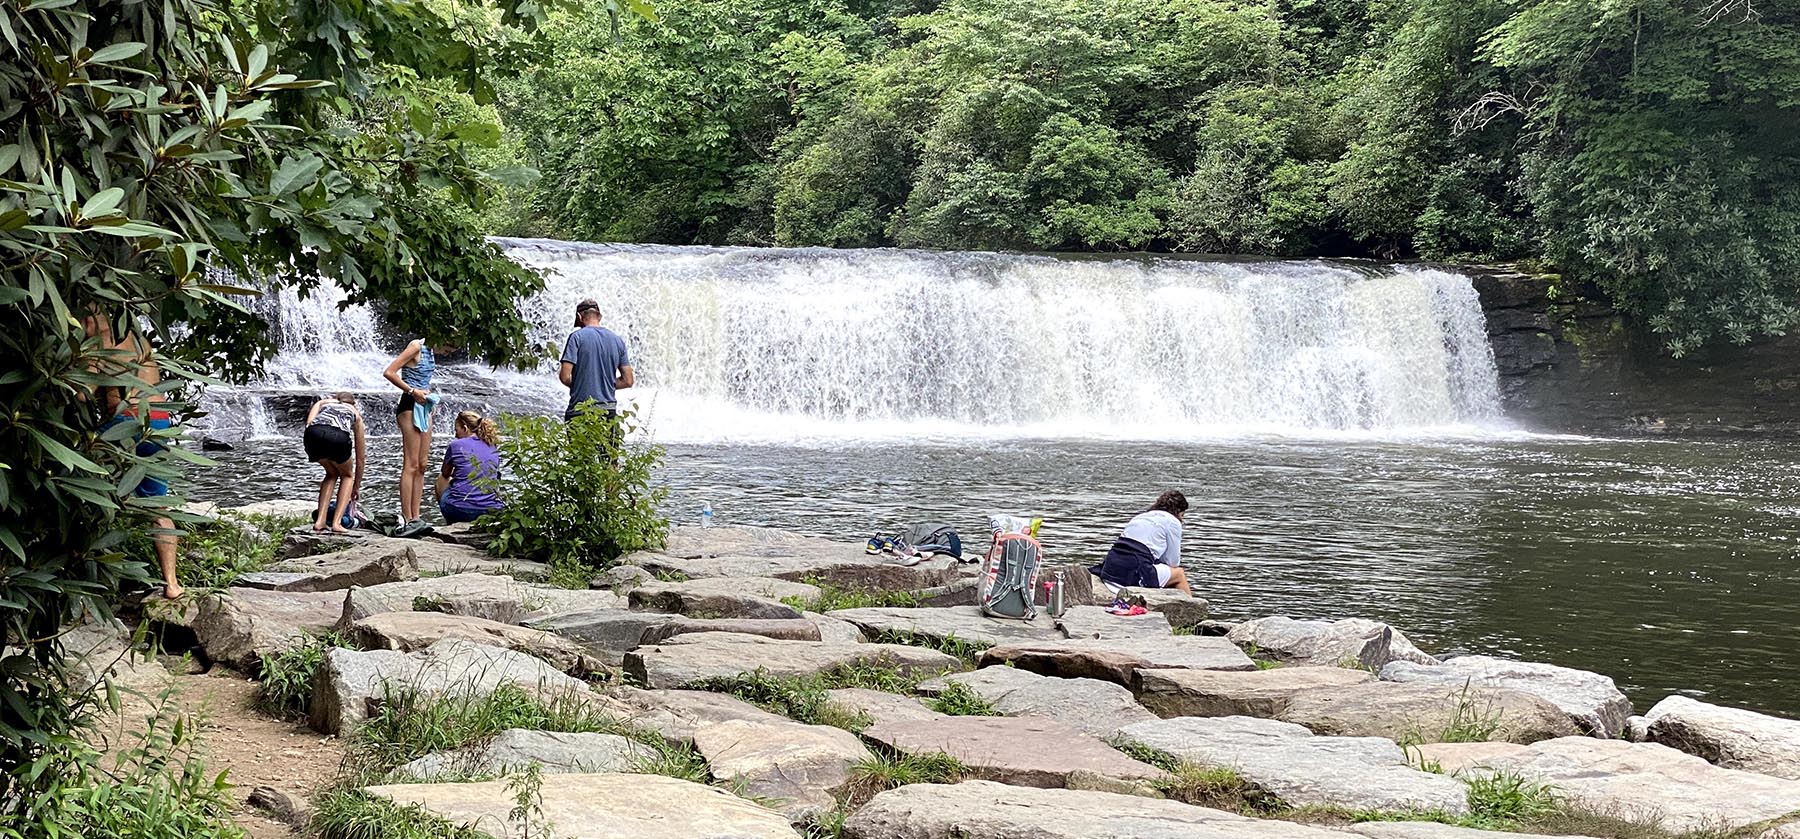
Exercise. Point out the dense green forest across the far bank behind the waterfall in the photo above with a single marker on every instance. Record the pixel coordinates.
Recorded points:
(1644, 149)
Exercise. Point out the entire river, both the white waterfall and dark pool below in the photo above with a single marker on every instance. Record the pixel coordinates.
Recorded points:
(1358, 464)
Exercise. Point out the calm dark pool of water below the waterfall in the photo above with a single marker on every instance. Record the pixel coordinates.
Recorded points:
(1671, 566)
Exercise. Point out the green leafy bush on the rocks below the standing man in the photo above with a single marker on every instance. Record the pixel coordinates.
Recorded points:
(577, 492)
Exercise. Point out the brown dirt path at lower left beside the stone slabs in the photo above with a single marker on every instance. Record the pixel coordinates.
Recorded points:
(256, 750)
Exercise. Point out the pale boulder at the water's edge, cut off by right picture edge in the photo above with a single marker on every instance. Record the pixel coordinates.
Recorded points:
(1729, 737)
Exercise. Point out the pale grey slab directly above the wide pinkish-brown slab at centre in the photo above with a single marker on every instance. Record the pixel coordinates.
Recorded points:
(1090, 705)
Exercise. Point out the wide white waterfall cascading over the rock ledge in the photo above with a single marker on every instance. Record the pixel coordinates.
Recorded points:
(809, 343)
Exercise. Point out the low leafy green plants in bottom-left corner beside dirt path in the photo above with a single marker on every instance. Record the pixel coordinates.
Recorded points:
(154, 788)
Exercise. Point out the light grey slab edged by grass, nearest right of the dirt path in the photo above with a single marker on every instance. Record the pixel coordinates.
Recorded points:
(517, 750)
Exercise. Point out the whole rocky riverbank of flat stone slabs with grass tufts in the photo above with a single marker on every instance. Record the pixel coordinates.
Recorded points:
(753, 683)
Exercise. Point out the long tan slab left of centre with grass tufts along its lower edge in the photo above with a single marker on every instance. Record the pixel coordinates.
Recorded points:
(701, 656)
